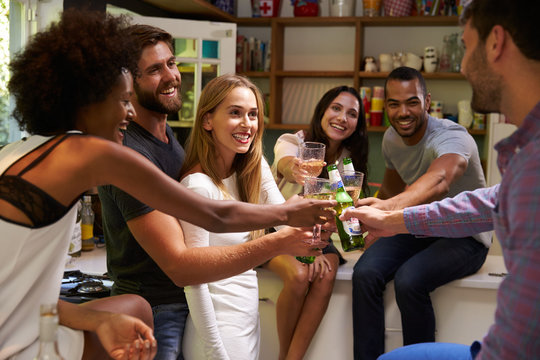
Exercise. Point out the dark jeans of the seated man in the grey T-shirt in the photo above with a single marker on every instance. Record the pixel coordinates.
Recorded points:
(418, 266)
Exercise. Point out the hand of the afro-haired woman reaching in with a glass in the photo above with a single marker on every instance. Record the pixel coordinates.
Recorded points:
(307, 212)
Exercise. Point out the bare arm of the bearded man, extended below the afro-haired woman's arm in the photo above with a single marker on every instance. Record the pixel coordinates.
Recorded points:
(161, 236)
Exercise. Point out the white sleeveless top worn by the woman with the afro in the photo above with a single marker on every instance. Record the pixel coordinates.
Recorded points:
(32, 265)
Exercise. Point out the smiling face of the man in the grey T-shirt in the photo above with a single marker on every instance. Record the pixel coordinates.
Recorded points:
(407, 109)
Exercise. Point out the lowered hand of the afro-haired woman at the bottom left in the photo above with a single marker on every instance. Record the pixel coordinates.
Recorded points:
(127, 338)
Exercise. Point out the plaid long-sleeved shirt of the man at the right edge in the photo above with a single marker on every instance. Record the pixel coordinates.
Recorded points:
(513, 210)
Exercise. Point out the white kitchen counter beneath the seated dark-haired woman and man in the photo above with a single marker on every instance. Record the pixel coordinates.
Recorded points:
(464, 310)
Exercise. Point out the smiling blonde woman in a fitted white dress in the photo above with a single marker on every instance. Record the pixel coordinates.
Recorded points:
(224, 161)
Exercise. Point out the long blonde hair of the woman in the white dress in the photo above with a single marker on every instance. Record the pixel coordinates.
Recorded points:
(200, 147)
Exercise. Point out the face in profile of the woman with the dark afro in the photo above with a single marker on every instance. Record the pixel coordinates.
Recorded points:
(108, 118)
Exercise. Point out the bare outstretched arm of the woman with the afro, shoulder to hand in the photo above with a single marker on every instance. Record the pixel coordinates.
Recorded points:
(109, 163)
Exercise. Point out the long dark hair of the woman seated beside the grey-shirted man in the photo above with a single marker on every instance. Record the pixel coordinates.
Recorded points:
(357, 143)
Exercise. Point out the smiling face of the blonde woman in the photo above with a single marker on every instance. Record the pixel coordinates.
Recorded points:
(234, 123)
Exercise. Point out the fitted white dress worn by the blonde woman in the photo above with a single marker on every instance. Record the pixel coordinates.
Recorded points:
(224, 315)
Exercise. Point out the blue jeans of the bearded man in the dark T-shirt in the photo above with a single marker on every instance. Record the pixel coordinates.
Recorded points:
(169, 323)
